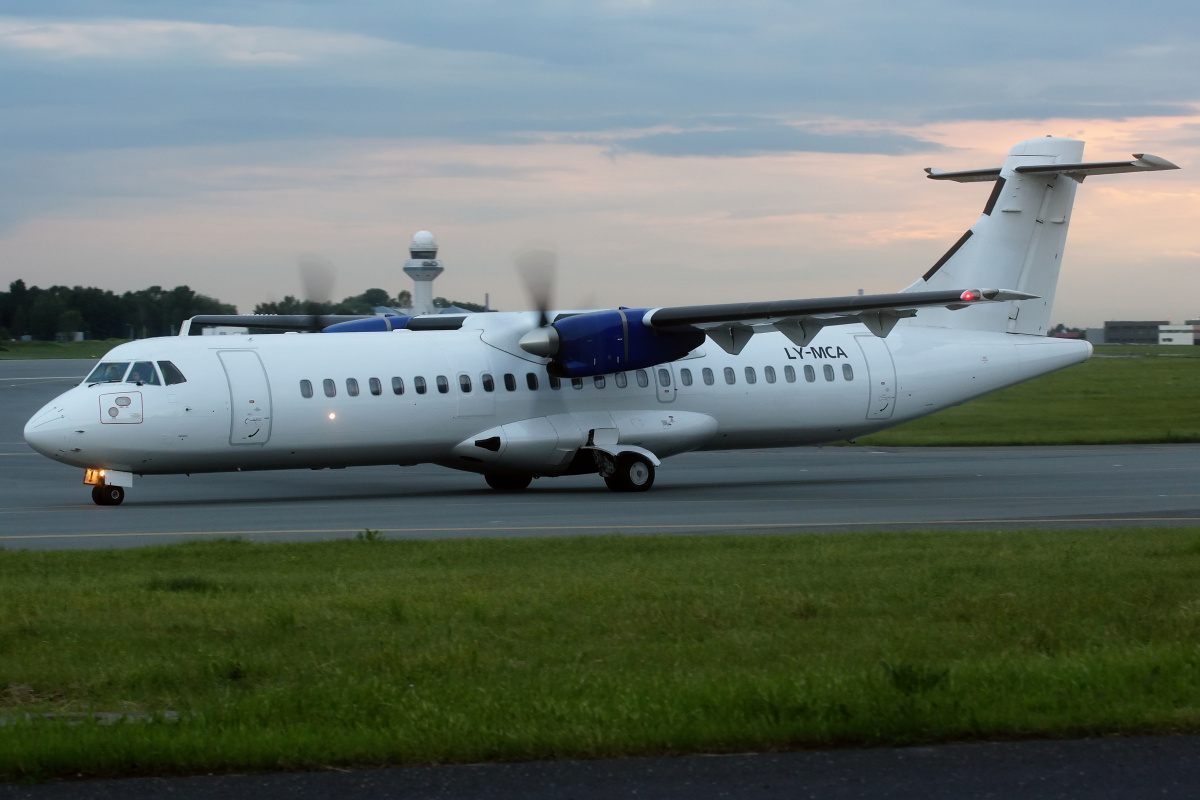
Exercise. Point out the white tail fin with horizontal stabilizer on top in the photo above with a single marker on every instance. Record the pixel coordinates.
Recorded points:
(1018, 242)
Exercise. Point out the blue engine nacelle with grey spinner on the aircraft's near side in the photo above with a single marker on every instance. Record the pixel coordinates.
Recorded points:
(609, 341)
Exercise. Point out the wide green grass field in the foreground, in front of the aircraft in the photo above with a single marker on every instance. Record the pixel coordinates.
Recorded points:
(370, 653)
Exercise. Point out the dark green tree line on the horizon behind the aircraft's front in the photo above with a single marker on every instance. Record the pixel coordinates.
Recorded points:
(103, 315)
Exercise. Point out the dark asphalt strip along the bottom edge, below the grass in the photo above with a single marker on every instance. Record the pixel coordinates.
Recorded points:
(1096, 769)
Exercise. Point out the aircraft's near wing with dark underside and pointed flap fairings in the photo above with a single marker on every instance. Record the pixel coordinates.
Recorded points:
(731, 326)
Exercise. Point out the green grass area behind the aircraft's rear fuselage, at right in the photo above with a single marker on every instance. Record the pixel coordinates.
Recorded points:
(1124, 395)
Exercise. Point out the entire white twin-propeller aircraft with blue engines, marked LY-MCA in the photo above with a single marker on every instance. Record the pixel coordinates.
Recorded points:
(517, 396)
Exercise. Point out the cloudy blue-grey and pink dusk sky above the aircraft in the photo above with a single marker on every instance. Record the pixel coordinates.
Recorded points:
(671, 153)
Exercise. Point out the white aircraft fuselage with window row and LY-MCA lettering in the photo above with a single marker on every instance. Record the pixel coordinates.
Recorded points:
(328, 401)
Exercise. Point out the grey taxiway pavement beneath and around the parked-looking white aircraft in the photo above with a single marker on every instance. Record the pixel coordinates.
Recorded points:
(805, 490)
